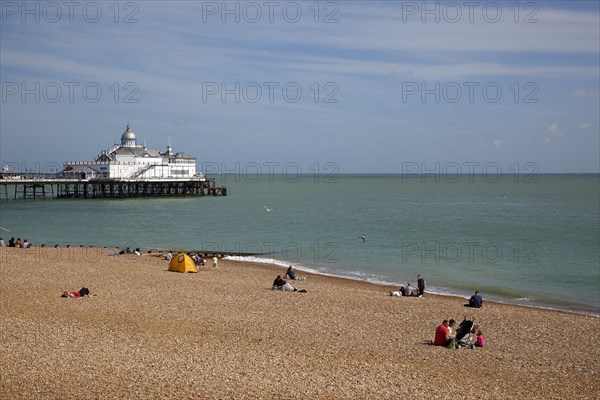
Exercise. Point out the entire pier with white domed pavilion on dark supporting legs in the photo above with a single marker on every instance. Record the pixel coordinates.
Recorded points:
(125, 170)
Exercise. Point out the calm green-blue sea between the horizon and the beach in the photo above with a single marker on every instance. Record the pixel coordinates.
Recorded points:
(526, 240)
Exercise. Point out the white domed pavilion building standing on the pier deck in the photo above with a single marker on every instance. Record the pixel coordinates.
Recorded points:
(132, 161)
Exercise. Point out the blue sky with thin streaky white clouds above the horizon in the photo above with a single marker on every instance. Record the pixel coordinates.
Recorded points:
(309, 86)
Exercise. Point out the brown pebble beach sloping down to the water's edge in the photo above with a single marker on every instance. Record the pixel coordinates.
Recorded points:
(147, 333)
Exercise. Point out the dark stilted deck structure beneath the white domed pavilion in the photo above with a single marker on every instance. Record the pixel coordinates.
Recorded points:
(39, 188)
